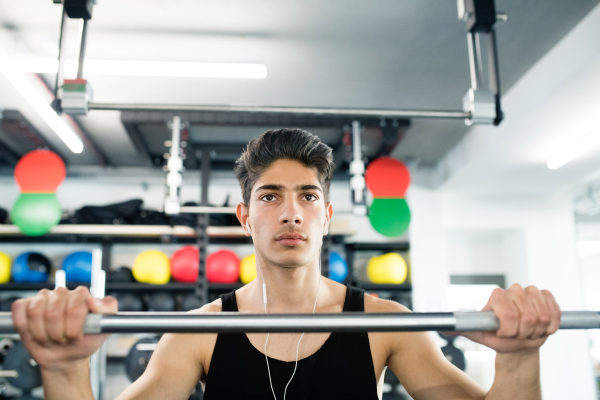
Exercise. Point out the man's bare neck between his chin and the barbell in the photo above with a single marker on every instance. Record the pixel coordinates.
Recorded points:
(289, 290)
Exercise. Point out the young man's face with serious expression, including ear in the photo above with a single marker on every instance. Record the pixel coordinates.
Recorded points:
(288, 215)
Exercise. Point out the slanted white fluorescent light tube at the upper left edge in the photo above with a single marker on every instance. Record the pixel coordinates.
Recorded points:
(35, 99)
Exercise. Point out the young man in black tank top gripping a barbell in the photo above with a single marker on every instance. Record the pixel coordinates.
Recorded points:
(285, 177)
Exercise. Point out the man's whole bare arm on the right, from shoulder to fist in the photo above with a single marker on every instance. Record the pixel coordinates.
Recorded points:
(527, 317)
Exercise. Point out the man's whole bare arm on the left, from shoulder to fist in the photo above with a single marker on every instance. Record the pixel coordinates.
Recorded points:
(51, 327)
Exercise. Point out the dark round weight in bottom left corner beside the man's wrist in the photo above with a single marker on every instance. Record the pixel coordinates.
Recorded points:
(28, 371)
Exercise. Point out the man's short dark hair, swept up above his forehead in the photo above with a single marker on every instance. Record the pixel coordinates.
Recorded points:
(291, 144)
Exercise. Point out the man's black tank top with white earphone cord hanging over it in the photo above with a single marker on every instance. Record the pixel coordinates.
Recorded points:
(341, 369)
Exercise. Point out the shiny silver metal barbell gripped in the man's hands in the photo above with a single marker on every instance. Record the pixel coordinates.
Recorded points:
(229, 322)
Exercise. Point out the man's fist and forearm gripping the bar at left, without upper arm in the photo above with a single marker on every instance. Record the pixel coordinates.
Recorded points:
(51, 327)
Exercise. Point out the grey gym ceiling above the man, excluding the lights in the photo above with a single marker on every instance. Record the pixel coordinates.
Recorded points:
(394, 54)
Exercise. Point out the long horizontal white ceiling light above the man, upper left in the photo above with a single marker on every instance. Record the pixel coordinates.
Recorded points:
(40, 65)
